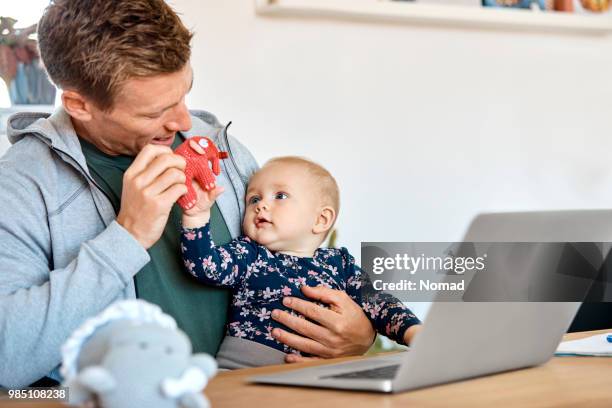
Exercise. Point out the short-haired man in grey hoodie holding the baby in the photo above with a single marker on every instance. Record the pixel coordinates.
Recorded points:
(87, 195)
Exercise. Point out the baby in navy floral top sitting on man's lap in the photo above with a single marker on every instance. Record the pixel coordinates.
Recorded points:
(291, 205)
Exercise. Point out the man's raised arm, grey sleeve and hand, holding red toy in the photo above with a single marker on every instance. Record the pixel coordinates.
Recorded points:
(40, 305)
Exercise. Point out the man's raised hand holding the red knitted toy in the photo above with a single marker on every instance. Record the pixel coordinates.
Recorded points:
(151, 185)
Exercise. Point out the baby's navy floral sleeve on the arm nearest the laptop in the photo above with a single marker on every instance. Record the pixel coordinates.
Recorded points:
(388, 315)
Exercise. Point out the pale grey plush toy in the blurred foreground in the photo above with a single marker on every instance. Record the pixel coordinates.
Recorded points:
(132, 355)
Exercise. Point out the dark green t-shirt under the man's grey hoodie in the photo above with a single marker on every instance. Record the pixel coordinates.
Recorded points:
(200, 311)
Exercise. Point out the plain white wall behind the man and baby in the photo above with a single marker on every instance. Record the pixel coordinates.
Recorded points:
(423, 127)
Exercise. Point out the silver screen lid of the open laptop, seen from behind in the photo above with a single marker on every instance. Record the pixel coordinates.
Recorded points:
(467, 339)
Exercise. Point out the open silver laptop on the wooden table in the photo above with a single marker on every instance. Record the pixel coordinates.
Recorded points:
(462, 340)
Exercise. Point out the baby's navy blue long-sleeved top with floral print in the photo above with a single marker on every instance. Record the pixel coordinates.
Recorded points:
(260, 279)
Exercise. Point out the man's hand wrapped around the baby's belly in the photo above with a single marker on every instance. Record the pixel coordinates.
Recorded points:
(343, 330)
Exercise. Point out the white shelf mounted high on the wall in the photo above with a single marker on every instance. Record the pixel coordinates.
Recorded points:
(440, 15)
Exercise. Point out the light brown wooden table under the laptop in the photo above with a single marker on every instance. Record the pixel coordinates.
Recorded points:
(562, 382)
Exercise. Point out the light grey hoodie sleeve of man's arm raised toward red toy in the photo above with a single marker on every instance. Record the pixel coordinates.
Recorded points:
(40, 305)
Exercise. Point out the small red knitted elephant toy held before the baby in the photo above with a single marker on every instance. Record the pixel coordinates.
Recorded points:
(198, 167)
